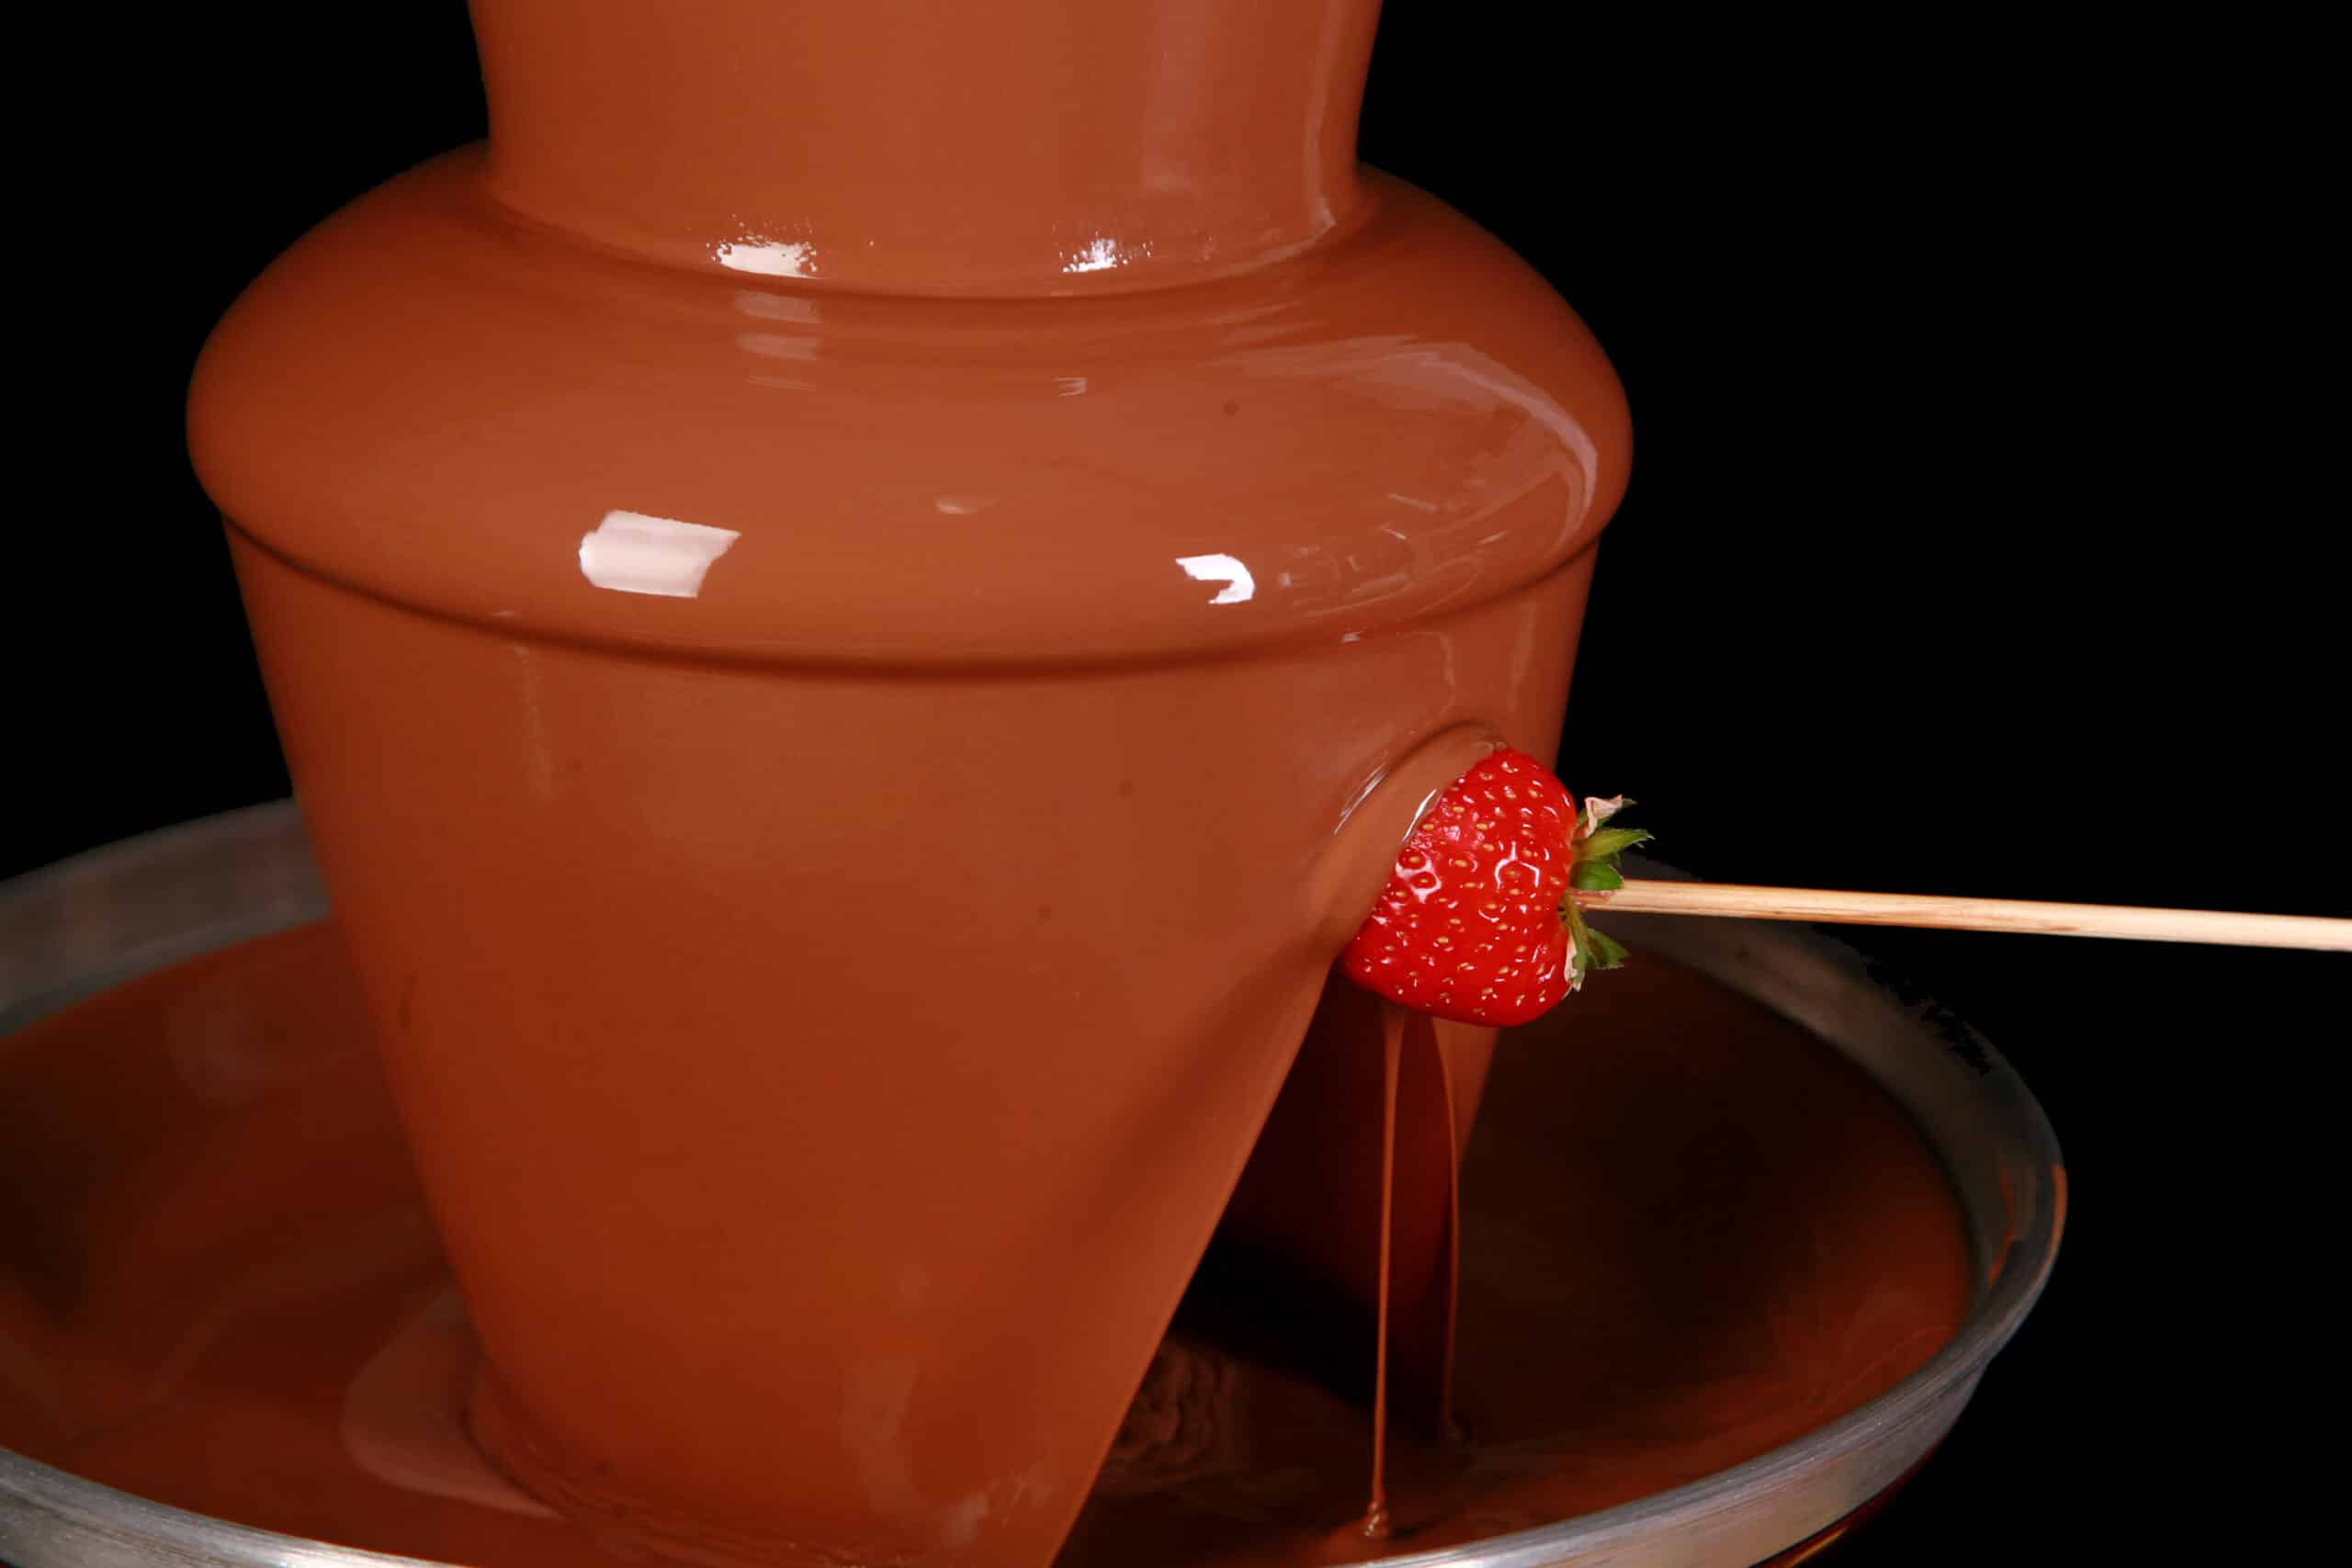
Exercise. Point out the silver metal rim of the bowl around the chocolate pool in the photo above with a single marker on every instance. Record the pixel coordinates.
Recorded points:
(145, 904)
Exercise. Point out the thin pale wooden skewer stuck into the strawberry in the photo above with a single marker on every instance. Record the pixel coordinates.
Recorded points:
(2219, 927)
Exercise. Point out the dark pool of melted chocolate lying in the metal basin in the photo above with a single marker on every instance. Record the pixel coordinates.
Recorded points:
(1690, 1233)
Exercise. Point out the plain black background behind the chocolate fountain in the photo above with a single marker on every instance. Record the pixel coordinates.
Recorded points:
(1986, 391)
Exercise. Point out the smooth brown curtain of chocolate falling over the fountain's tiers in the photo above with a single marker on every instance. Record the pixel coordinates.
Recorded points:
(857, 608)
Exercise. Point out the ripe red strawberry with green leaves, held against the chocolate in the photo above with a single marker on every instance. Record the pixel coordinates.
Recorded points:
(1478, 920)
